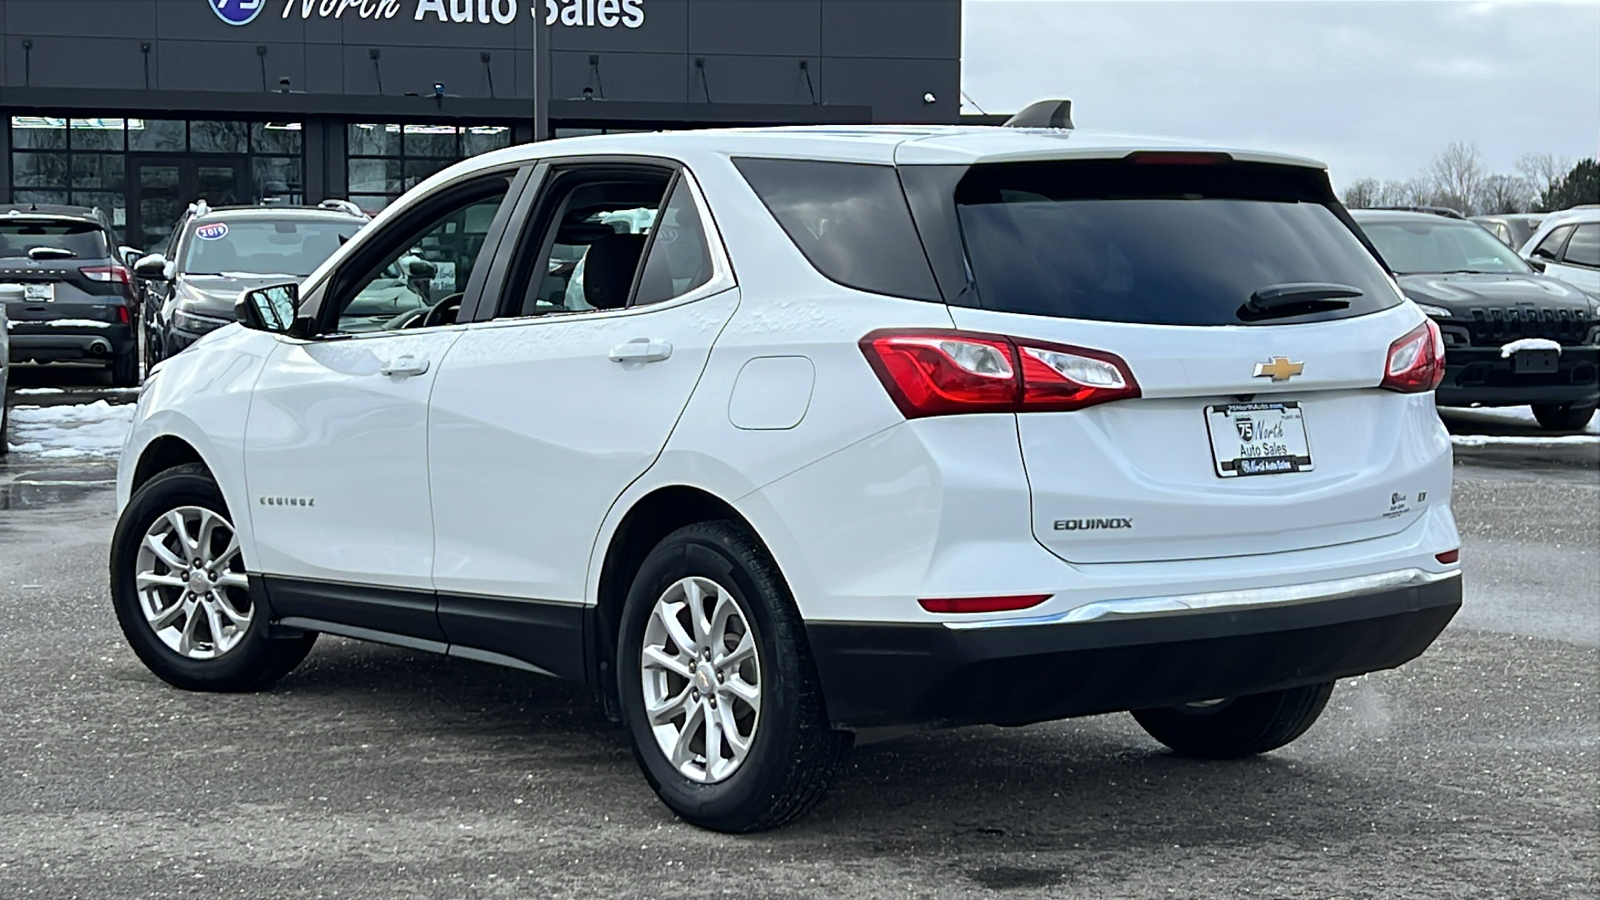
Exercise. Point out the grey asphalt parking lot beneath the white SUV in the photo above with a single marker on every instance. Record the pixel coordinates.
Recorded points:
(382, 773)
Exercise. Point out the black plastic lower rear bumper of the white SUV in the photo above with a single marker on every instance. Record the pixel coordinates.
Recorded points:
(878, 675)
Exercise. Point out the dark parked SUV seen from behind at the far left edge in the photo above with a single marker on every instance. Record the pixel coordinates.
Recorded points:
(78, 302)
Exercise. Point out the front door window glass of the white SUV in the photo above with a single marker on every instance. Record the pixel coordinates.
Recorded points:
(423, 278)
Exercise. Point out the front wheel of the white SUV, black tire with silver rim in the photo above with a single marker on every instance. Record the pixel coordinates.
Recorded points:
(193, 643)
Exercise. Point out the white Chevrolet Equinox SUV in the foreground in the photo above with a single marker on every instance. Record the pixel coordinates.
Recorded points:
(785, 438)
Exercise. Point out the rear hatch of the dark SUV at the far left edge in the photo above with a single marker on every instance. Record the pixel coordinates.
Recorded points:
(65, 268)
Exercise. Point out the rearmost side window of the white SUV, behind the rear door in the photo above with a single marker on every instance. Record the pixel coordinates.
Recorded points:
(850, 220)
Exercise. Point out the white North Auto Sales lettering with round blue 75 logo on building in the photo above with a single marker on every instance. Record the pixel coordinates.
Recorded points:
(570, 14)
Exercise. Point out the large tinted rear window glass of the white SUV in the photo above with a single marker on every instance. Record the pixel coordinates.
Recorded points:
(1159, 244)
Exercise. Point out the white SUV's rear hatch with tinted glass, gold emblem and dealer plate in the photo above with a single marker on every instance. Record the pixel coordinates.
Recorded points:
(1257, 329)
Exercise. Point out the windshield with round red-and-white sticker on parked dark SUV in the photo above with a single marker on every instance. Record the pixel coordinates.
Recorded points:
(263, 247)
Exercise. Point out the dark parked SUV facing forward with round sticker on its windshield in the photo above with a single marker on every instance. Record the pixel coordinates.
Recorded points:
(217, 254)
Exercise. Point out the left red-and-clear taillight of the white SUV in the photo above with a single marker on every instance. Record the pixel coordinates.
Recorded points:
(934, 372)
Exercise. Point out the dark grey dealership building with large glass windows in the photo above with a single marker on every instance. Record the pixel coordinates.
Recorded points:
(145, 106)
